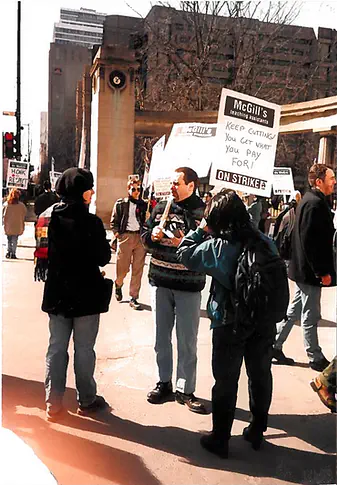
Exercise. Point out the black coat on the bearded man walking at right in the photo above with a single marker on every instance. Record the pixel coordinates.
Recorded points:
(312, 255)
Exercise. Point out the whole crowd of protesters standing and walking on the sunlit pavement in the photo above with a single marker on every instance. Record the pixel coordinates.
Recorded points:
(187, 238)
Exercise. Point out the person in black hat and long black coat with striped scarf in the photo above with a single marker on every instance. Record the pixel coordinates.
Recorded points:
(73, 292)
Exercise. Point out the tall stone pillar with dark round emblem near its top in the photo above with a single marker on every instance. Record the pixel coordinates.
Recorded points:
(112, 126)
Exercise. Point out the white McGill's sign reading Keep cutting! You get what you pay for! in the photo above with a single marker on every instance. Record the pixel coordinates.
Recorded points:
(247, 138)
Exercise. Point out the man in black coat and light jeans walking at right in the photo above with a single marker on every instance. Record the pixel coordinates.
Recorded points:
(311, 265)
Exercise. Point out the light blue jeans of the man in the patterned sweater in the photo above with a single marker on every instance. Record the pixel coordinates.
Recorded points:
(182, 308)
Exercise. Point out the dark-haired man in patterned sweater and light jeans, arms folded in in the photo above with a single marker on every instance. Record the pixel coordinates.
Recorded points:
(176, 292)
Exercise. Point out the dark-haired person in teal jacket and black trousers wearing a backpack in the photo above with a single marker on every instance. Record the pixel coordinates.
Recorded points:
(249, 293)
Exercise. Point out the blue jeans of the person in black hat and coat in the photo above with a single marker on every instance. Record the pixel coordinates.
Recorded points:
(85, 331)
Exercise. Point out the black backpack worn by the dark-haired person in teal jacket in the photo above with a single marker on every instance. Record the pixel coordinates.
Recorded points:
(261, 290)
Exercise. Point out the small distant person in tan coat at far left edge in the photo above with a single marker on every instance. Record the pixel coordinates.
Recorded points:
(14, 213)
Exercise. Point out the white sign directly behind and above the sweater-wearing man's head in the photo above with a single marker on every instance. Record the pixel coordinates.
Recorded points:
(191, 145)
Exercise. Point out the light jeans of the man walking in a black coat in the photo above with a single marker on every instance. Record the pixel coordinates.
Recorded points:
(305, 306)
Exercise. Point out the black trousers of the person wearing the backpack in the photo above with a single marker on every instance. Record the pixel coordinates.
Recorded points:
(255, 346)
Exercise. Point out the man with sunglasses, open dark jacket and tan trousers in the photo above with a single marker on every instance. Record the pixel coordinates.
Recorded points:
(128, 217)
